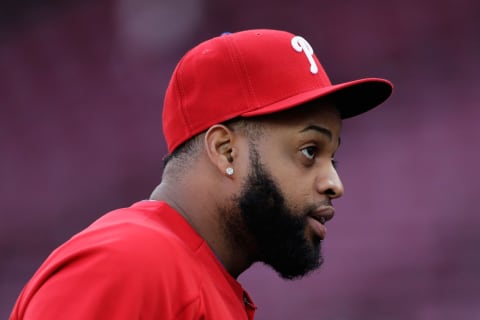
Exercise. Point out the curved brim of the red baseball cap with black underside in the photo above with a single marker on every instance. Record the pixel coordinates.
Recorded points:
(351, 98)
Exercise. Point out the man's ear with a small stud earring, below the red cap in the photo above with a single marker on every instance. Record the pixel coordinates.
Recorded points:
(220, 147)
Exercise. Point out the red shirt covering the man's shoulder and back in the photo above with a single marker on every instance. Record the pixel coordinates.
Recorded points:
(143, 262)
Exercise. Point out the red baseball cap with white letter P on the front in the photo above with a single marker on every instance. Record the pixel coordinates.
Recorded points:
(252, 73)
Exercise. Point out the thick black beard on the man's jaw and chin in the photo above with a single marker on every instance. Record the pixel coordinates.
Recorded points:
(277, 232)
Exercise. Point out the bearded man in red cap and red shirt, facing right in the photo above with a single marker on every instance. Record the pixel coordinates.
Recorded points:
(252, 124)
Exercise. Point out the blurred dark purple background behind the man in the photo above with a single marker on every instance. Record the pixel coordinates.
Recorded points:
(81, 90)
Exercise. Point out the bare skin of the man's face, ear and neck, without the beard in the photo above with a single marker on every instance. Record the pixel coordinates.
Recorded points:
(296, 147)
